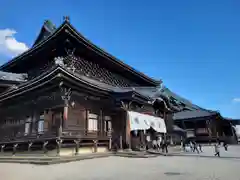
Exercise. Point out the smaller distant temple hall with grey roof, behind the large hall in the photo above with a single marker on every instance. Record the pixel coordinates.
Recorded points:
(200, 124)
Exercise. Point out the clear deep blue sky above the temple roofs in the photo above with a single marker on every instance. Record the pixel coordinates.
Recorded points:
(193, 46)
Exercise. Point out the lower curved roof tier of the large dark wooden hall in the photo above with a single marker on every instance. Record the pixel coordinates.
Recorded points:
(63, 74)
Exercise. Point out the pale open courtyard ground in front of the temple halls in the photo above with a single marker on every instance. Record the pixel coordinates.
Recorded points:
(119, 168)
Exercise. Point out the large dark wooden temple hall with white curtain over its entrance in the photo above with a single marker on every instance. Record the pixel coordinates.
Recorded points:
(67, 96)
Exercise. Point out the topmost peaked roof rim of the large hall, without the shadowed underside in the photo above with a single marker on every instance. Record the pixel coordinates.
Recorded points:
(48, 32)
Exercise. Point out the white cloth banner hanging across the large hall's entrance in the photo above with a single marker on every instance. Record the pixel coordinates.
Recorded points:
(140, 121)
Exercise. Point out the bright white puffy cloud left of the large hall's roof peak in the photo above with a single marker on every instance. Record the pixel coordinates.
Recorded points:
(9, 46)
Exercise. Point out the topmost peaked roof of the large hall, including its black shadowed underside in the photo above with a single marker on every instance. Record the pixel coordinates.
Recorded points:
(49, 35)
